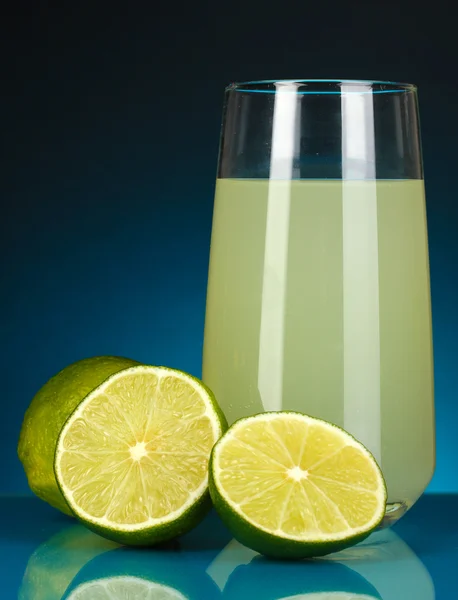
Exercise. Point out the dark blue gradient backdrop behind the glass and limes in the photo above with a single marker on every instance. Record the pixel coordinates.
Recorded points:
(111, 123)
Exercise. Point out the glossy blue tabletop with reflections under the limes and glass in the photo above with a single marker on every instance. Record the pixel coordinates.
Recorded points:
(47, 556)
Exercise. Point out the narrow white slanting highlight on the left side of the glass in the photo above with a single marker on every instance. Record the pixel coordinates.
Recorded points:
(272, 331)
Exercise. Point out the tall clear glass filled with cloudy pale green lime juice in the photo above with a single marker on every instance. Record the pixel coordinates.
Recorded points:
(318, 294)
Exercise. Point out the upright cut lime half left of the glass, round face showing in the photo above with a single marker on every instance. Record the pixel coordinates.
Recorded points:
(132, 459)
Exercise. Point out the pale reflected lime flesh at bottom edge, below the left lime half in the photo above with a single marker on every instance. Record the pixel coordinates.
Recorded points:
(125, 588)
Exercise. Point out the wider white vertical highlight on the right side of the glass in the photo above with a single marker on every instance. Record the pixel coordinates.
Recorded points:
(362, 415)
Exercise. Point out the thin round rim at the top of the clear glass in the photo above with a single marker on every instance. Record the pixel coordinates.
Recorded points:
(269, 86)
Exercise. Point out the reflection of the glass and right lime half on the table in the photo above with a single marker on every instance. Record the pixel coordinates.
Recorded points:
(383, 568)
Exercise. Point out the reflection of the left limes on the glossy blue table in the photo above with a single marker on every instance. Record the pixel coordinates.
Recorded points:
(77, 564)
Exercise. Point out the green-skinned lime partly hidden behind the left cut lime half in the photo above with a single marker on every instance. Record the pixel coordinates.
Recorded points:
(46, 415)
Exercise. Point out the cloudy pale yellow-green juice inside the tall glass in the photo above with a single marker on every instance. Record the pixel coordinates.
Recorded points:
(319, 302)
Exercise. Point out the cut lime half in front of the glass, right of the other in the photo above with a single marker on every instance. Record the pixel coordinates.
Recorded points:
(289, 485)
